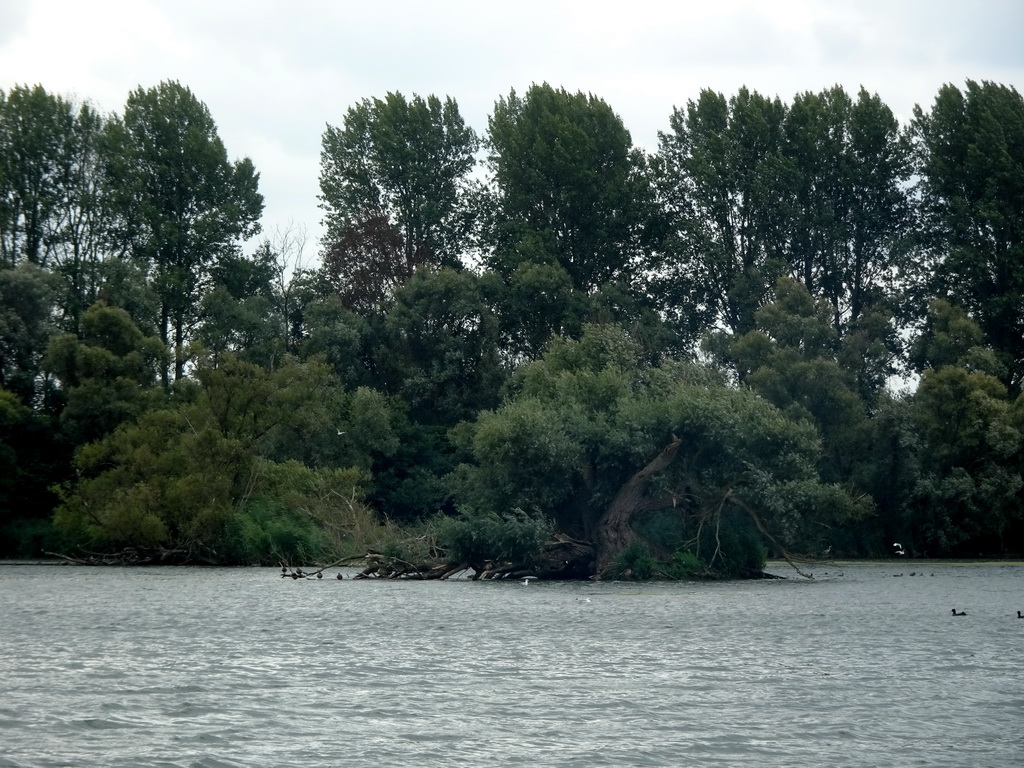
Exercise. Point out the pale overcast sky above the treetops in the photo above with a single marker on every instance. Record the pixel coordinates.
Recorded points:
(274, 73)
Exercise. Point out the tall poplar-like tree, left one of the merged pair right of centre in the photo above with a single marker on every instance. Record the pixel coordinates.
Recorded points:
(726, 182)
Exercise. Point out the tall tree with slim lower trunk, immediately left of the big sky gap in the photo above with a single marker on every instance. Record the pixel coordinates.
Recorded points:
(184, 205)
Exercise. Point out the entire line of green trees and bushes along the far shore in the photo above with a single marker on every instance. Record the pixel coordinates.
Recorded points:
(796, 328)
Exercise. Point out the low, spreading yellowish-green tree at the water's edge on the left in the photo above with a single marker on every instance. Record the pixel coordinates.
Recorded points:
(193, 477)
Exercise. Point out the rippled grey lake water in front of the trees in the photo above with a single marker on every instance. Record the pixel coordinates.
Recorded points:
(199, 667)
